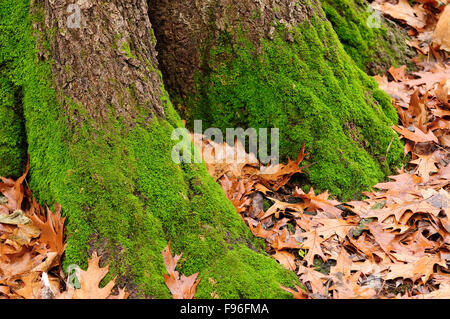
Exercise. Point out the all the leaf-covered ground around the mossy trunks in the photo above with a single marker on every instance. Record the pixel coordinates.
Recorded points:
(395, 243)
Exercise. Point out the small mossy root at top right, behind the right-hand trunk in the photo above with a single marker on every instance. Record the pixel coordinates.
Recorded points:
(374, 43)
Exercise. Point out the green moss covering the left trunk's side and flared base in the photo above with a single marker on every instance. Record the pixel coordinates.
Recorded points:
(121, 191)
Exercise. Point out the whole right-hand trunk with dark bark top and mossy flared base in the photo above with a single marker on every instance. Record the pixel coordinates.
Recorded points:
(280, 64)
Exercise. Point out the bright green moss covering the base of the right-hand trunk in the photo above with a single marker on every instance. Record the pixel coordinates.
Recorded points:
(313, 92)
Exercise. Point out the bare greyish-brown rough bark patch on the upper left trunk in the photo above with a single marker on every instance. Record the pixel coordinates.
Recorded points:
(108, 62)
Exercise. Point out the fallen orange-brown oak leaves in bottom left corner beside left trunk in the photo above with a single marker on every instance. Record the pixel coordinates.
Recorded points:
(31, 246)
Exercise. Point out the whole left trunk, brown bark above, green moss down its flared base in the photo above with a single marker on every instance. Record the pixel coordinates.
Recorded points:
(99, 124)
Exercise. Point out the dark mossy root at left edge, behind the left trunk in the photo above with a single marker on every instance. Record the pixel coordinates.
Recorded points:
(12, 130)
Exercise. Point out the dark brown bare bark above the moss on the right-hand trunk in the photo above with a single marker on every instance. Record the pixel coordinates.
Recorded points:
(185, 29)
